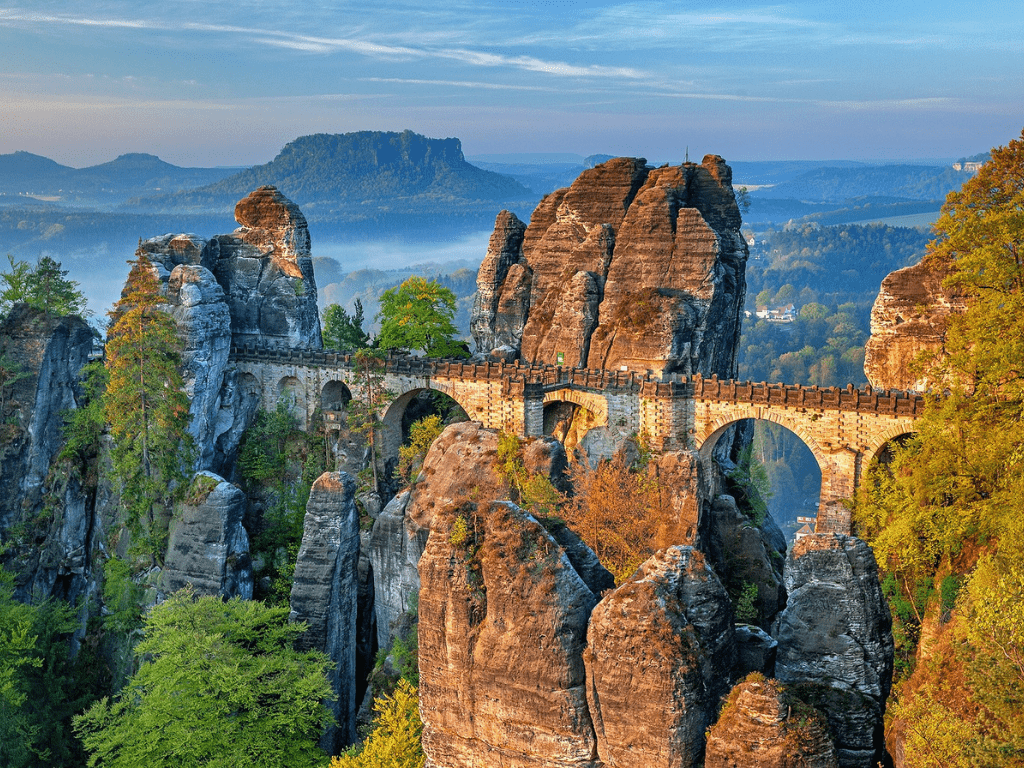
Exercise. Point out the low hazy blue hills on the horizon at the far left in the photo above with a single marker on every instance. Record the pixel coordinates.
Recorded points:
(136, 175)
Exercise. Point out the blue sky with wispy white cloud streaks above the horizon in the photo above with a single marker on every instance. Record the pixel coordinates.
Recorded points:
(205, 82)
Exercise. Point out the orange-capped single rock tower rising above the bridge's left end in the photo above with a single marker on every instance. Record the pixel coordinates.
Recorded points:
(267, 272)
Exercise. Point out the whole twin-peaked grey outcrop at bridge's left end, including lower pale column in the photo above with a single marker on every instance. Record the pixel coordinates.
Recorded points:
(253, 286)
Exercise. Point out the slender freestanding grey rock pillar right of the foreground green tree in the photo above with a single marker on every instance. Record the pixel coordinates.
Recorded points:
(325, 592)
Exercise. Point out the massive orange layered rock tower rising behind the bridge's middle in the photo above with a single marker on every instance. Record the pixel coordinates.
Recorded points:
(631, 268)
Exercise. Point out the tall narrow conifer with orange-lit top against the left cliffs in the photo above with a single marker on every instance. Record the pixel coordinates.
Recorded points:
(147, 407)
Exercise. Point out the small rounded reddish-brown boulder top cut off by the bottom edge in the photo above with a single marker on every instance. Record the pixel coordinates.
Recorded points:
(761, 728)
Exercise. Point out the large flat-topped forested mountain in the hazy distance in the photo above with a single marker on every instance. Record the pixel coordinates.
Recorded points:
(353, 177)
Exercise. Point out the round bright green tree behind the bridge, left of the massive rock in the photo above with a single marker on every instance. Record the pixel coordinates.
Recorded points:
(418, 315)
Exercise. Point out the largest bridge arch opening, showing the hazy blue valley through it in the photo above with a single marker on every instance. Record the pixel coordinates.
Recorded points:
(781, 462)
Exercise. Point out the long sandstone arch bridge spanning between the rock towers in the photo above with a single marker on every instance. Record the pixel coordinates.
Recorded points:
(843, 429)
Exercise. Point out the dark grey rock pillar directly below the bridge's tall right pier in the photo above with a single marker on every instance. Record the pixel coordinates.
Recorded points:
(835, 642)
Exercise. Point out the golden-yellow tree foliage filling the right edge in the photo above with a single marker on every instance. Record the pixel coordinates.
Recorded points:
(949, 503)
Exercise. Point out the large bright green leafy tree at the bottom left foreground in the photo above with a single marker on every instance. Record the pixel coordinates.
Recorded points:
(221, 685)
